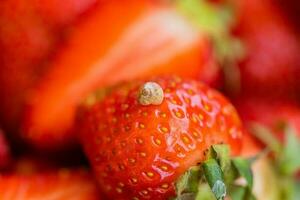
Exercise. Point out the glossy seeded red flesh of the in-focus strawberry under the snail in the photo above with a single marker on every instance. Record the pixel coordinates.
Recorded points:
(138, 151)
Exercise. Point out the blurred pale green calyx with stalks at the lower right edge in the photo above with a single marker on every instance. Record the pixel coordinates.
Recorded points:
(284, 159)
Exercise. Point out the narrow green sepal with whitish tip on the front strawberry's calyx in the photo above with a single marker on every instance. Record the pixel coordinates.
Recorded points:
(214, 177)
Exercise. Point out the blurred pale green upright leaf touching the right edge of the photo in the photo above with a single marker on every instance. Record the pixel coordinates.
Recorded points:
(290, 159)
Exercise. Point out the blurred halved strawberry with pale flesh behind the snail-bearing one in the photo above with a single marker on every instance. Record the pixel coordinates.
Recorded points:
(143, 39)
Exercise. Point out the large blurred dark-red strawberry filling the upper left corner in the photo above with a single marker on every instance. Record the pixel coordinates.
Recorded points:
(29, 30)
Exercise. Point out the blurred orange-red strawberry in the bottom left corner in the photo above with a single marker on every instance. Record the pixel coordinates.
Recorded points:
(76, 184)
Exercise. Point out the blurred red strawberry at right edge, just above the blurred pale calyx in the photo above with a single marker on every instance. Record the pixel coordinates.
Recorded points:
(272, 114)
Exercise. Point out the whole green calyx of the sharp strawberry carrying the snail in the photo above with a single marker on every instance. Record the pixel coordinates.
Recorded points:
(216, 178)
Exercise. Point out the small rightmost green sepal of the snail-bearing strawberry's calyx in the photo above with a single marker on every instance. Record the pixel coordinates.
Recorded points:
(244, 169)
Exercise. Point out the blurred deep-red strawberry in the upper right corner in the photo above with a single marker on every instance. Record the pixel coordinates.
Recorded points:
(272, 64)
